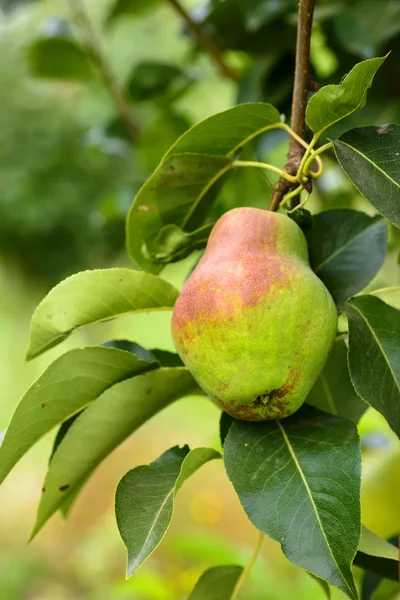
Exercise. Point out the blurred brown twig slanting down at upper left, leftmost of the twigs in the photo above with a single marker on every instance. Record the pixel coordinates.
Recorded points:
(96, 54)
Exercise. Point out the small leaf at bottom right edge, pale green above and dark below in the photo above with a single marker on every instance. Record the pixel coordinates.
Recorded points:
(377, 555)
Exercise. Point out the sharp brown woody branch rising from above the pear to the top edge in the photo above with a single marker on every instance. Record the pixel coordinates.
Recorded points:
(299, 101)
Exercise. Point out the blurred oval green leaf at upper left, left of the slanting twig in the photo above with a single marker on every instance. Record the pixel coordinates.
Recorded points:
(59, 57)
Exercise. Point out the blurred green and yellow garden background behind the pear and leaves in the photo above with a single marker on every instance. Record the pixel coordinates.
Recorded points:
(68, 172)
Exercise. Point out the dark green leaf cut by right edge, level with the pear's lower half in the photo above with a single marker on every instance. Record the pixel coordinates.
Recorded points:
(374, 355)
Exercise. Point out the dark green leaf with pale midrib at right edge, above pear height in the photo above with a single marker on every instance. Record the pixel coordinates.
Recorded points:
(370, 157)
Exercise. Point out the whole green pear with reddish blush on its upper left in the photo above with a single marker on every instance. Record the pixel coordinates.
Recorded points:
(253, 323)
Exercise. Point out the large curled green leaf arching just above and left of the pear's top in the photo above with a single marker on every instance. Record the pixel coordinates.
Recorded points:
(182, 188)
